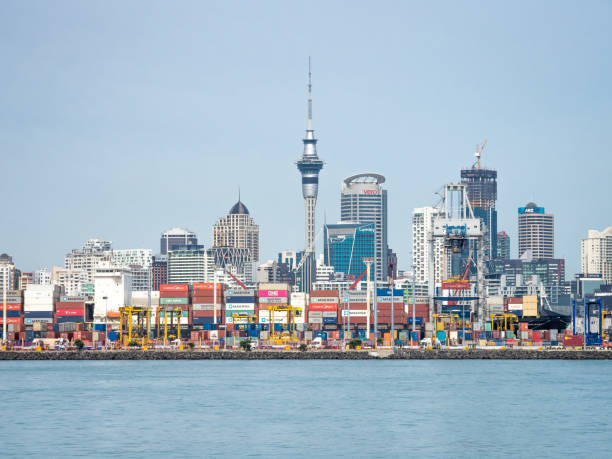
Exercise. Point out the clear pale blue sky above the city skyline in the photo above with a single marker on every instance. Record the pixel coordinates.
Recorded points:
(119, 120)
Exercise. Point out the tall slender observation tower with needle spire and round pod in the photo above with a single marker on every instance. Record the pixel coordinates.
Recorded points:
(309, 166)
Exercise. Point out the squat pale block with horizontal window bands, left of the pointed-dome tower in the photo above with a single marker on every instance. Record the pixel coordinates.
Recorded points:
(187, 264)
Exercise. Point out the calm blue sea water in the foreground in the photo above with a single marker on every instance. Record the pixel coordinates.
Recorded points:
(305, 408)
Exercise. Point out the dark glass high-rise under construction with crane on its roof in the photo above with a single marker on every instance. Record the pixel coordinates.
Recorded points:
(482, 193)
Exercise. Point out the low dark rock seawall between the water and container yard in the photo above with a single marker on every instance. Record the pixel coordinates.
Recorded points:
(421, 354)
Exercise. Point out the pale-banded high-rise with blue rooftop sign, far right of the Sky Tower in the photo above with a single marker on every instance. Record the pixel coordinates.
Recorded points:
(536, 232)
